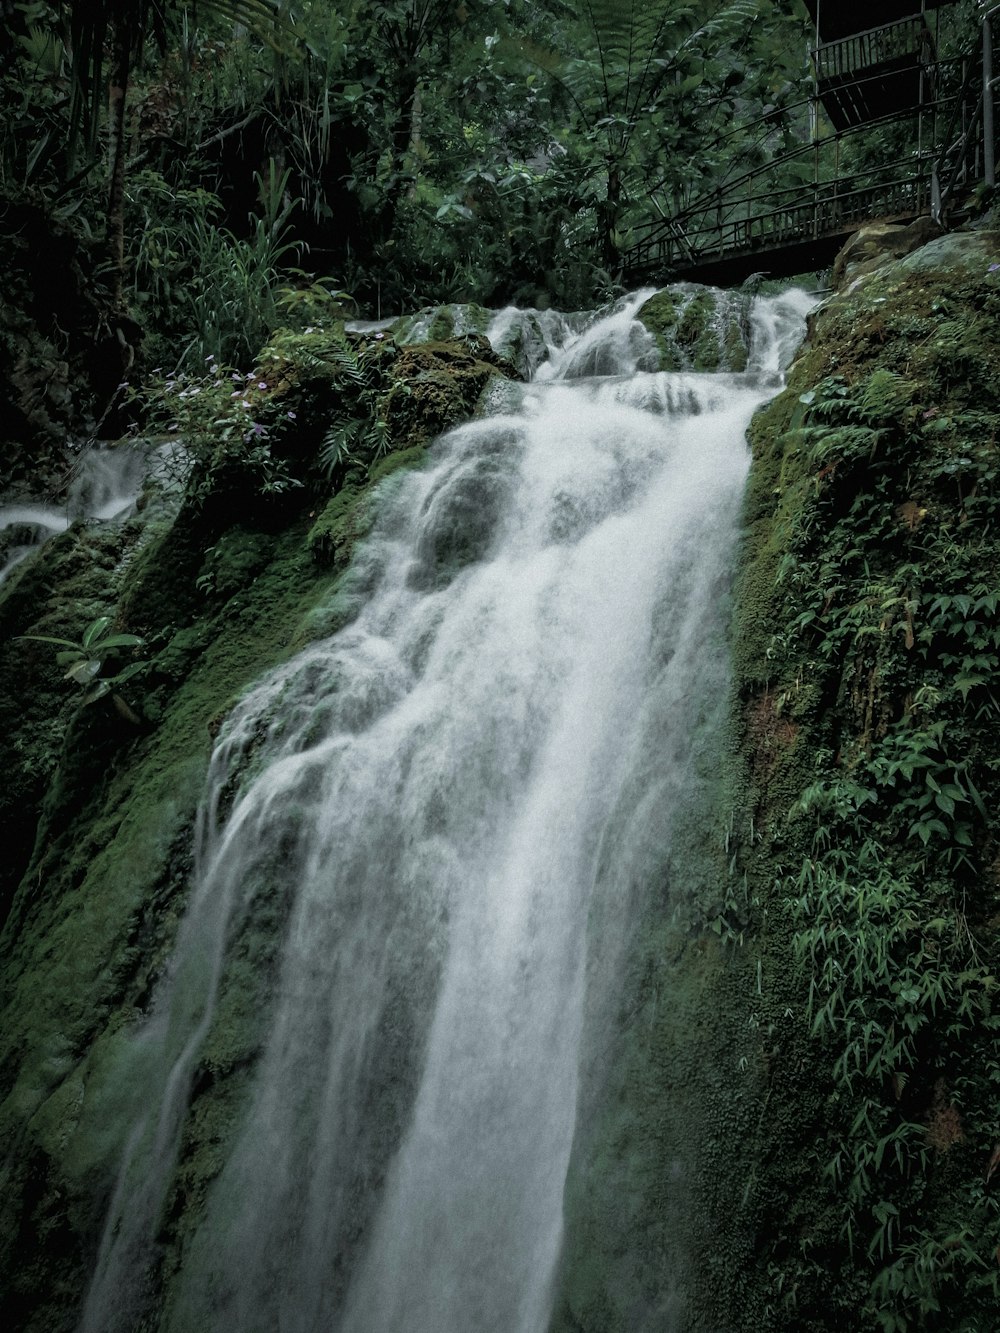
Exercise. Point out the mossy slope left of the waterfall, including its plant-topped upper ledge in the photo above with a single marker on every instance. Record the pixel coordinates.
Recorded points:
(99, 808)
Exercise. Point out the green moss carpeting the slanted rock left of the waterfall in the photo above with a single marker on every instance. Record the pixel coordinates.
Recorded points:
(94, 922)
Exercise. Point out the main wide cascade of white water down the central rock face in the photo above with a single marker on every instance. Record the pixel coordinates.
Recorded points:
(426, 811)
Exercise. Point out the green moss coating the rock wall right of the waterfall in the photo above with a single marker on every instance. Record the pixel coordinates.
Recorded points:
(853, 535)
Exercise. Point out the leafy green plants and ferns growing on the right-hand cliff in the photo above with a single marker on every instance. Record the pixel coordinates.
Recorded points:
(883, 672)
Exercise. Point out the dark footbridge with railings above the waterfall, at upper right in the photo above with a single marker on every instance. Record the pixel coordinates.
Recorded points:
(898, 133)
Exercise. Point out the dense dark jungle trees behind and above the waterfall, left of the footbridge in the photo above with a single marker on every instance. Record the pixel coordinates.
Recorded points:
(178, 179)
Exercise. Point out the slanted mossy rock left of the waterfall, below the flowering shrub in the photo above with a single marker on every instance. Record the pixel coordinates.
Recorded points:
(93, 924)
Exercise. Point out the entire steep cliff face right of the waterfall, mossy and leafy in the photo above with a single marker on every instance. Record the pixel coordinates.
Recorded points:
(803, 1128)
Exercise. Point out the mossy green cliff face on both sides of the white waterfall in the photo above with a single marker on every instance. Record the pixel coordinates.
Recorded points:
(794, 1126)
